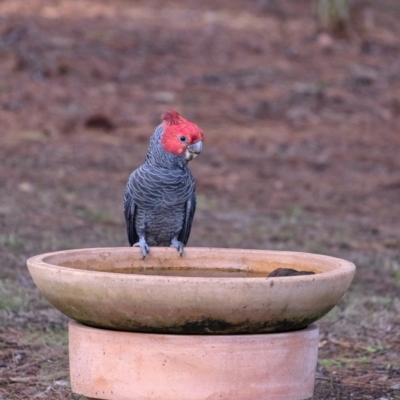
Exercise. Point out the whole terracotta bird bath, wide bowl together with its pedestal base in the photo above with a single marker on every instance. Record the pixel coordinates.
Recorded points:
(208, 325)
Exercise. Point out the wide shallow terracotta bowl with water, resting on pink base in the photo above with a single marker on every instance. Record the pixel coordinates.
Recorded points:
(207, 291)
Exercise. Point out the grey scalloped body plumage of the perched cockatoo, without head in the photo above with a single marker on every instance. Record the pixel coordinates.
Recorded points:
(160, 198)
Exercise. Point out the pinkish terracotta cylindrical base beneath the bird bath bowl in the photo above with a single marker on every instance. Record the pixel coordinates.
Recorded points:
(114, 365)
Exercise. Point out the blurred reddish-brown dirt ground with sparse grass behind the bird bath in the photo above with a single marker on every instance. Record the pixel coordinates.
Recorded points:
(301, 152)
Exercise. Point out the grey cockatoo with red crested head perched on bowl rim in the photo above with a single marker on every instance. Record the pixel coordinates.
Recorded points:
(160, 195)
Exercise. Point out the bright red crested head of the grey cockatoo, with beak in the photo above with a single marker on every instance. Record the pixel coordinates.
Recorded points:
(180, 135)
